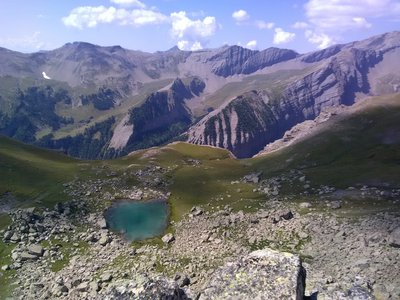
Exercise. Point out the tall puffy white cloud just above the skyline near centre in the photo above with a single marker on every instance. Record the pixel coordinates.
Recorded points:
(192, 30)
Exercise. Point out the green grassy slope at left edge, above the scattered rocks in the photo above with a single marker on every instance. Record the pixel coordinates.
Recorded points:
(31, 173)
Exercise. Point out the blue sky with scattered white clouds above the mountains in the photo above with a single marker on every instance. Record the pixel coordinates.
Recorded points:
(158, 25)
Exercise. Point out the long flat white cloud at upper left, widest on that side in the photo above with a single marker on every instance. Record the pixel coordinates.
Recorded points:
(91, 16)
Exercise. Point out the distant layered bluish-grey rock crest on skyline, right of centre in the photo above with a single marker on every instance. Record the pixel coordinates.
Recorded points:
(237, 60)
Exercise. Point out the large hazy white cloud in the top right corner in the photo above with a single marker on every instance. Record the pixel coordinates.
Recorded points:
(341, 15)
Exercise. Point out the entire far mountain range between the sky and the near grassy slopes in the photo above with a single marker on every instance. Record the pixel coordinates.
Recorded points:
(95, 102)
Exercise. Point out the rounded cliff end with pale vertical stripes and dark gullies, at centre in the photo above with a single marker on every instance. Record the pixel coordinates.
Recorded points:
(243, 126)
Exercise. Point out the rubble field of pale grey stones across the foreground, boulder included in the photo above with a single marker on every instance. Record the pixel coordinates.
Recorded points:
(282, 251)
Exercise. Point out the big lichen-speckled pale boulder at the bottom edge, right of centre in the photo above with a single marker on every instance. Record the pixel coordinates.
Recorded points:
(263, 274)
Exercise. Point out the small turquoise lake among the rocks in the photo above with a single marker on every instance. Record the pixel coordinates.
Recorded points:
(138, 220)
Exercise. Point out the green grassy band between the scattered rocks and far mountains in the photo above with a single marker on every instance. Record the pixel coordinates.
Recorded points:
(358, 149)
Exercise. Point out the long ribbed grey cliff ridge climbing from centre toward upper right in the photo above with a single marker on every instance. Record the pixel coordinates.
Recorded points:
(254, 119)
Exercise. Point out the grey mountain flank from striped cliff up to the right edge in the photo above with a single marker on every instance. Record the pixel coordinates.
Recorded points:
(343, 75)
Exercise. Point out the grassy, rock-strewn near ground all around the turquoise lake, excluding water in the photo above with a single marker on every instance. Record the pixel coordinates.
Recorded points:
(331, 197)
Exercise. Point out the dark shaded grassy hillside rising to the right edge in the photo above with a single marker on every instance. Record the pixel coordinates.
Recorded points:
(360, 149)
